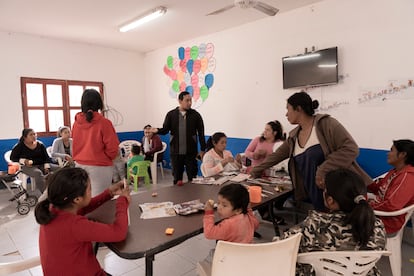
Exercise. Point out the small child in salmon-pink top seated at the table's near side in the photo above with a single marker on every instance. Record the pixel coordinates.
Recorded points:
(238, 221)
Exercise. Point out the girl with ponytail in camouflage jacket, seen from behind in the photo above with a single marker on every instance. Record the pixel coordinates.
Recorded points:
(349, 224)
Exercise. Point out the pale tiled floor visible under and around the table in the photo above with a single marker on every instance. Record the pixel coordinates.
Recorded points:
(19, 239)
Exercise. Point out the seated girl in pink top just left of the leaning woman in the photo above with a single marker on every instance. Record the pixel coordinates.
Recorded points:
(262, 146)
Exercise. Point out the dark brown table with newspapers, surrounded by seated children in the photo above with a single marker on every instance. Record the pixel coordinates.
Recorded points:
(146, 237)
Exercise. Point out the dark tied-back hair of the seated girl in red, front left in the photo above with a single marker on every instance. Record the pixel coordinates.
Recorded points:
(62, 187)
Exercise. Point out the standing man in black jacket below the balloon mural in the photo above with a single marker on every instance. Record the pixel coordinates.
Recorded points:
(184, 125)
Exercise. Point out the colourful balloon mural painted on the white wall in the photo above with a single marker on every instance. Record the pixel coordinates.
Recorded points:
(192, 71)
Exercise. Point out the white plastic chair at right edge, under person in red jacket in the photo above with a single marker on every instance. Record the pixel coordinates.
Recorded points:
(394, 242)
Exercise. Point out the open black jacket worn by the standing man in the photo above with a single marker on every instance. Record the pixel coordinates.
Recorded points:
(195, 127)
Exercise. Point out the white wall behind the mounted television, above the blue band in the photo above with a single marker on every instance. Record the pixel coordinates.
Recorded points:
(374, 39)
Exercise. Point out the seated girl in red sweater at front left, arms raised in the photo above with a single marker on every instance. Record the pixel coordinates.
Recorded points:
(65, 234)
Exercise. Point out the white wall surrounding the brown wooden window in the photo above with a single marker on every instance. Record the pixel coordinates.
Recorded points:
(122, 73)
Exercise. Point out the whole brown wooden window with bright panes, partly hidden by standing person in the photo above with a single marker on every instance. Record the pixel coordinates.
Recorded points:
(49, 104)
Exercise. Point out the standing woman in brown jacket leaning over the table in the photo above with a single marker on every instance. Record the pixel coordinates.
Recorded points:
(317, 145)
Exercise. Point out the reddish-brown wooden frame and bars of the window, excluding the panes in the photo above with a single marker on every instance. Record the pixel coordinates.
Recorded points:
(66, 108)
